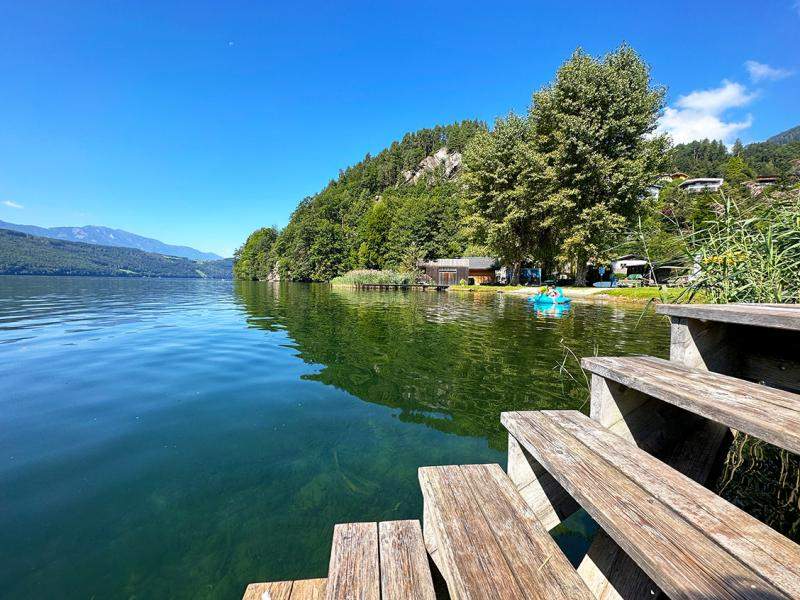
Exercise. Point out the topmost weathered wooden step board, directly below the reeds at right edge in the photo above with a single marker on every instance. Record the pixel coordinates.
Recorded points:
(761, 315)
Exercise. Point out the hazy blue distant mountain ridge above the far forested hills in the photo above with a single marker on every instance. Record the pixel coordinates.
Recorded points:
(105, 236)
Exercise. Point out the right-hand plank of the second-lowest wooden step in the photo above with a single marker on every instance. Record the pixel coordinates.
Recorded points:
(405, 574)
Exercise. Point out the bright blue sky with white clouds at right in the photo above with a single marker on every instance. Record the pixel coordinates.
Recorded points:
(196, 122)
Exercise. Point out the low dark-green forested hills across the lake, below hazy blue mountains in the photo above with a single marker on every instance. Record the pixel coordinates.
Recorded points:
(23, 254)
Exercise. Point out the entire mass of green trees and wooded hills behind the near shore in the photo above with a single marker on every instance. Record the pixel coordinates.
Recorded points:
(560, 186)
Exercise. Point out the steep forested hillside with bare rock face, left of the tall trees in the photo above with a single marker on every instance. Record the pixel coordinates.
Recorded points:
(375, 213)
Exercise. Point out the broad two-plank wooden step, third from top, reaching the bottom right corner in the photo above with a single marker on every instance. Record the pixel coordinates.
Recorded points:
(691, 542)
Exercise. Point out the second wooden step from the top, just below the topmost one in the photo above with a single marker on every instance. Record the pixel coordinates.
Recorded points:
(767, 413)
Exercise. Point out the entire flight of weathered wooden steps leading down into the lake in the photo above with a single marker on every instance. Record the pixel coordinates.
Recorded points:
(637, 465)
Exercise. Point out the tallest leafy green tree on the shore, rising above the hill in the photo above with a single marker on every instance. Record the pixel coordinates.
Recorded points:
(593, 150)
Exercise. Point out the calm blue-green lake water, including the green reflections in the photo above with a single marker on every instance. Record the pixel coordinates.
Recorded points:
(183, 438)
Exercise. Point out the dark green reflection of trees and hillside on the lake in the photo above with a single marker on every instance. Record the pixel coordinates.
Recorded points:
(452, 362)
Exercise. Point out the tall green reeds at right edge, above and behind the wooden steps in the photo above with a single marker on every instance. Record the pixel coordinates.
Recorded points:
(753, 255)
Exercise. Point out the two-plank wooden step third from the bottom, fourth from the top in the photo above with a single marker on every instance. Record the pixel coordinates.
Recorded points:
(488, 542)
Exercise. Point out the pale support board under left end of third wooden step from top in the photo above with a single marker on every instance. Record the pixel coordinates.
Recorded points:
(549, 502)
